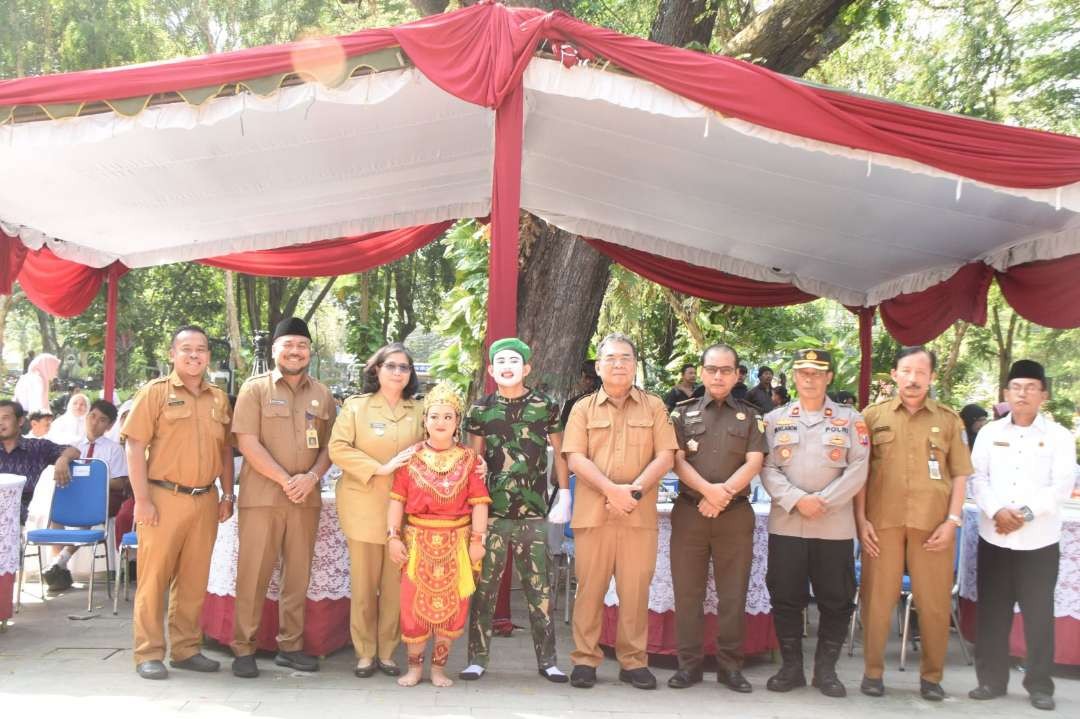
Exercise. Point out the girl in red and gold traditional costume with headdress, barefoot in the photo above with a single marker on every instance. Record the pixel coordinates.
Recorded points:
(442, 495)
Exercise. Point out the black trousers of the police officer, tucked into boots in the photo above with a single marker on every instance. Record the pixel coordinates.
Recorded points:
(794, 565)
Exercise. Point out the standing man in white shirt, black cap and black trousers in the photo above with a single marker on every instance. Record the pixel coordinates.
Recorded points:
(1025, 468)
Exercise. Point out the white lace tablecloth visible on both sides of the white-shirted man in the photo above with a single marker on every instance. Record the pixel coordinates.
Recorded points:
(1068, 592)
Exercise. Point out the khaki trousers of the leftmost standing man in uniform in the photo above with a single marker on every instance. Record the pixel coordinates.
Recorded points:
(174, 558)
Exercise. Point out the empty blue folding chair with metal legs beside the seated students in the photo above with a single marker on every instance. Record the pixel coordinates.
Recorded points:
(83, 503)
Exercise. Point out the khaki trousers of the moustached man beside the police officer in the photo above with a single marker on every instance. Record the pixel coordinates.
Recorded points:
(931, 575)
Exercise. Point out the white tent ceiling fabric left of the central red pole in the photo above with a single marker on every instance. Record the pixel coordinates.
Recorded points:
(241, 173)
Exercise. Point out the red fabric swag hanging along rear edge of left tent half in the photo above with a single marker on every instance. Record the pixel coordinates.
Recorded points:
(332, 257)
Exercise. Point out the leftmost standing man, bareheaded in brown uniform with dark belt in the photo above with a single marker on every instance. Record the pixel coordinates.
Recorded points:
(178, 446)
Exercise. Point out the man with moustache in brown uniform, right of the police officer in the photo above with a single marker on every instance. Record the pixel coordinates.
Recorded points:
(908, 517)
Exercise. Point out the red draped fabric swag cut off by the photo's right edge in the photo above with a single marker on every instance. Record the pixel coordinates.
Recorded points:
(1047, 293)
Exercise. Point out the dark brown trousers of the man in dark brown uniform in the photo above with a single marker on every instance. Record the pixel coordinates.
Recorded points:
(728, 542)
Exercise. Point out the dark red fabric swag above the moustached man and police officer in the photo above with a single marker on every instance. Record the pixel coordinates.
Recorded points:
(919, 318)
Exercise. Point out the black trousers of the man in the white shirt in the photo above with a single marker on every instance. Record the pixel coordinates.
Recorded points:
(1007, 577)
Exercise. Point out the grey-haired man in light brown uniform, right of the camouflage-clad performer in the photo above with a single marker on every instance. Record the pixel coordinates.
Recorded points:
(619, 442)
